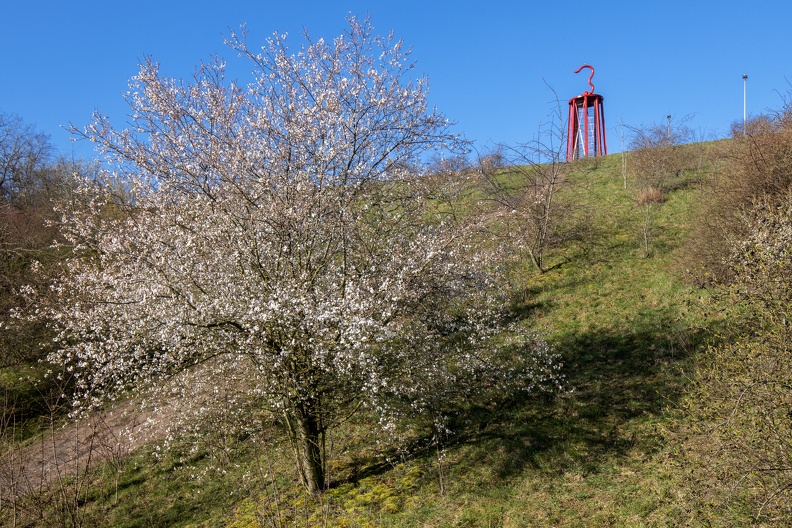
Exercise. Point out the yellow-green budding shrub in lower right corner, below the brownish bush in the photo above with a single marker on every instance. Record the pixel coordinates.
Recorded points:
(741, 453)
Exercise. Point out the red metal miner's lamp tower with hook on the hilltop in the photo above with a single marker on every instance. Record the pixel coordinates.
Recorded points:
(583, 139)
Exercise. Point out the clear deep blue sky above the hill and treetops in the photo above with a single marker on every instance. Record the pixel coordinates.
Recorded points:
(491, 64)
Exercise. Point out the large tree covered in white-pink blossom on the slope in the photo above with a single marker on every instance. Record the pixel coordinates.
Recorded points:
(280, 235)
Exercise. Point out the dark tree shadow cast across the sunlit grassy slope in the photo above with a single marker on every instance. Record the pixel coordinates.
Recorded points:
(618, 381)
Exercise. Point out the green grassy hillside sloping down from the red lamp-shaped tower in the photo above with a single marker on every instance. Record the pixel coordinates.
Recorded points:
(600, 453)
